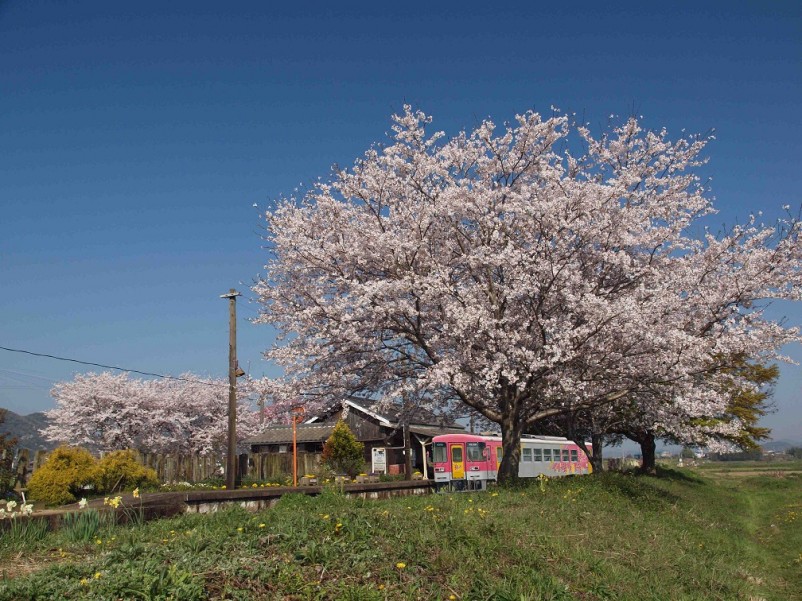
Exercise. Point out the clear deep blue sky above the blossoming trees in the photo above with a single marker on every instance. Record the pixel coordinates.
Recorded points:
(136, 137)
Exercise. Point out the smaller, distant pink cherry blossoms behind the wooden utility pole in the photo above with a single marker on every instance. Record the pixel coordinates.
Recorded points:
(114, 411)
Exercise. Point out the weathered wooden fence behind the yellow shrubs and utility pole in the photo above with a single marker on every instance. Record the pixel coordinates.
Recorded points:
(192, 467)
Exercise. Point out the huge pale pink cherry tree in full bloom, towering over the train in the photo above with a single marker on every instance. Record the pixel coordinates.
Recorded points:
(525, 273)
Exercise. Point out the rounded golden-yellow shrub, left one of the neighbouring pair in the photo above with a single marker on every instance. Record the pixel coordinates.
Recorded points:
(61, 478)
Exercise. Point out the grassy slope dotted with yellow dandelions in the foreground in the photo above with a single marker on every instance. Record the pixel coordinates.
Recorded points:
(613, 537)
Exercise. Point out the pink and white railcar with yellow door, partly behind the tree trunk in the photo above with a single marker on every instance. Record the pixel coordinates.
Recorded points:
(470, 461)
